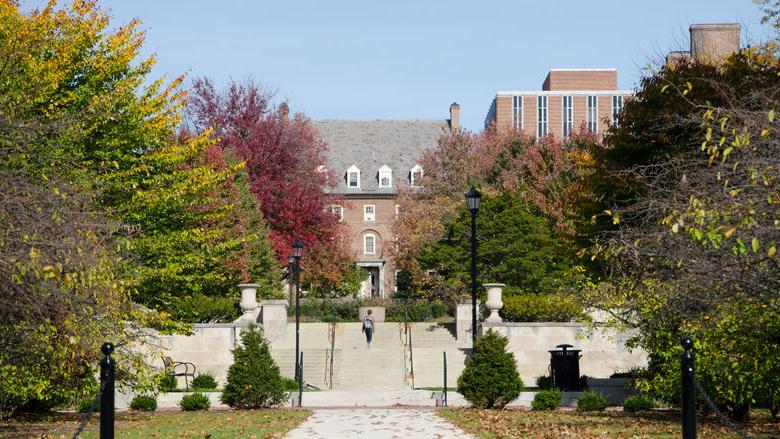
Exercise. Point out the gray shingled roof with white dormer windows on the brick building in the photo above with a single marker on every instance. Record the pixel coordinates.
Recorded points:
(369, 144)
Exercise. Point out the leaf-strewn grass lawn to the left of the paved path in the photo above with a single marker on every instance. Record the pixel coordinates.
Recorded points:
(272, 423)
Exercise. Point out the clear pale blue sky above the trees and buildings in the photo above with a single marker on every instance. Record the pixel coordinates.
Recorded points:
(410, 59)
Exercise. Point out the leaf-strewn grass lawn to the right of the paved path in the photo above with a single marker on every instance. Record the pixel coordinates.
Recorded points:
(572, 424)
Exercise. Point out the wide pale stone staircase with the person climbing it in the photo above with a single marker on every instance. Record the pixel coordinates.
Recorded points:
(336, 356)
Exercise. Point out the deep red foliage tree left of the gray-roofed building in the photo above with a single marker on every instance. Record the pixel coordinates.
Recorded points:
(285, 164)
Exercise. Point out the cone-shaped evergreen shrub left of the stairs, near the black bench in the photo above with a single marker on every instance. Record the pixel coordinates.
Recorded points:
(253, 379)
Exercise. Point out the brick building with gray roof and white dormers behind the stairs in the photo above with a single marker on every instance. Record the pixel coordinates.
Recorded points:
(373, 160)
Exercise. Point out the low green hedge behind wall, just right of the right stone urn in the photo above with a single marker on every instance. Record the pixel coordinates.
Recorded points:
(541, 308)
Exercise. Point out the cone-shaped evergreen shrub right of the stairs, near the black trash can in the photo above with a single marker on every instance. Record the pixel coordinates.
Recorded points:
(490, 378)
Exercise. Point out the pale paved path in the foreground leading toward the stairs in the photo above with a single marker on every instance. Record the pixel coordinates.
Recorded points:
(376, 424)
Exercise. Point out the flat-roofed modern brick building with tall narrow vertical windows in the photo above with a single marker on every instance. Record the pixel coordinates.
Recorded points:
(569, 98)
